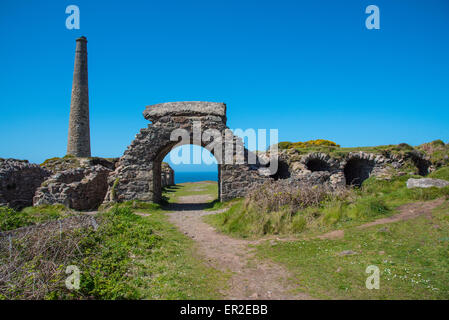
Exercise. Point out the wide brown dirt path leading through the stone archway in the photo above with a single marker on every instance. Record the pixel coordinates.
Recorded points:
(250, 279)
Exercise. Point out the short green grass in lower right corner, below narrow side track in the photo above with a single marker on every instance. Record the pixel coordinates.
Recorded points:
(412, 257)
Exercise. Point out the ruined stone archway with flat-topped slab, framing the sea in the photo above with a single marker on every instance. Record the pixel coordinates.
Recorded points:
(138, 174)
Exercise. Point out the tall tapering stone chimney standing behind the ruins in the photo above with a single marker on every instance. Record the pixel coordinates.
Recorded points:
(79, 132)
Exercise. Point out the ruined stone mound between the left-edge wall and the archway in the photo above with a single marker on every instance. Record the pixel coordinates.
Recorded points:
(79, 189)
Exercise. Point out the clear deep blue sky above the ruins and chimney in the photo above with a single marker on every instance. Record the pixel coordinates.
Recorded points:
(308, 68)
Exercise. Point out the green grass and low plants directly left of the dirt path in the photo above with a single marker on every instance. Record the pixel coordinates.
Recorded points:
(145, 257)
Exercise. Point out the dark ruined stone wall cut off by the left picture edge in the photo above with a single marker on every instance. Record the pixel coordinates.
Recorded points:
(19, 180)
